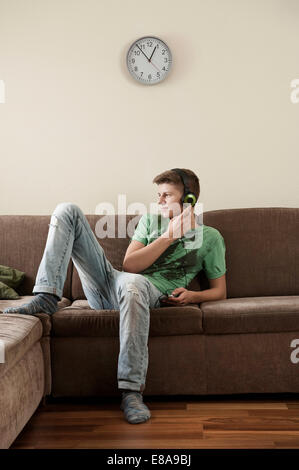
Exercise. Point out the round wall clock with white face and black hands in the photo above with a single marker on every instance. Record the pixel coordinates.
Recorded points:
(149, 60)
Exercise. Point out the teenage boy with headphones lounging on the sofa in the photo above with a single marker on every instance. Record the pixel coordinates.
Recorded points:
(159, 261)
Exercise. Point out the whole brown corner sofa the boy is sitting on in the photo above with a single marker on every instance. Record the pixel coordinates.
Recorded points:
(238, 345)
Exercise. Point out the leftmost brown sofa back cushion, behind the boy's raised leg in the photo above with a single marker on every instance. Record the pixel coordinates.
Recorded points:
(22, 241)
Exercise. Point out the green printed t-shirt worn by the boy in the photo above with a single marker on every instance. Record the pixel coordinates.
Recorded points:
(200, 248)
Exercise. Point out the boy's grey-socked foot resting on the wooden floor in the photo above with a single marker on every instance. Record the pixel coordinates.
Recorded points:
(134, 409)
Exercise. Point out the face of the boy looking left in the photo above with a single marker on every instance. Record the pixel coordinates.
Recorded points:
(169, 199)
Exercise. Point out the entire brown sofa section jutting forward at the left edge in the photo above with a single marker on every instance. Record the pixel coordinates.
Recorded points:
(25, 375)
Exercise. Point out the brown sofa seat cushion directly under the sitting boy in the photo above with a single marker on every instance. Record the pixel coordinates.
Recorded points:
(80, 320)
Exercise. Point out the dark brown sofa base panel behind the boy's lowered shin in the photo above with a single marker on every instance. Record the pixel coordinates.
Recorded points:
(87, 366)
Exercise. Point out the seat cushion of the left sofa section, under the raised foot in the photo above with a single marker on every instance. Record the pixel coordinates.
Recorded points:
(18, 333)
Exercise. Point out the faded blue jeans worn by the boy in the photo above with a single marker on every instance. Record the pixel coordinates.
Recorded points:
(70, 236)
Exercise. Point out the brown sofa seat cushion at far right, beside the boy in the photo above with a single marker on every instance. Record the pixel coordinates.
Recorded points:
(251, 315)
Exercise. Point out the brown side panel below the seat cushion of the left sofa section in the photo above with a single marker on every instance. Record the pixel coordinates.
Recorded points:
(21, 390)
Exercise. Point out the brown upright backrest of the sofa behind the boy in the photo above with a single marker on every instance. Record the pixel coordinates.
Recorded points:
(262, 250)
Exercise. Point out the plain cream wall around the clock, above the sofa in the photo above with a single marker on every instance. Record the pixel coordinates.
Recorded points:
(76, 127)
